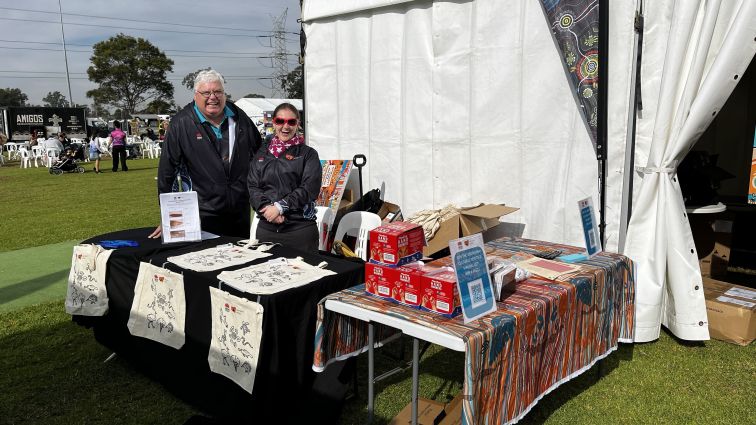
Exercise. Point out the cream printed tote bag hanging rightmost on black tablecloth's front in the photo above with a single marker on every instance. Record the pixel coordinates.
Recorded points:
(235, 339)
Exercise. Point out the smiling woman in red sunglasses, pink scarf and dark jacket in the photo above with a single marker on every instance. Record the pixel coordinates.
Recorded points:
(284, 181)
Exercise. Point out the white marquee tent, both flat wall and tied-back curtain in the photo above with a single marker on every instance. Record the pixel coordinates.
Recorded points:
(467, 101)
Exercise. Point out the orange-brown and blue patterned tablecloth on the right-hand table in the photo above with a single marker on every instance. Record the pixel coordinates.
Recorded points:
(543, 334)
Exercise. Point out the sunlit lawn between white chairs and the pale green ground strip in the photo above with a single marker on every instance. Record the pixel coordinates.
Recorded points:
(39, 208)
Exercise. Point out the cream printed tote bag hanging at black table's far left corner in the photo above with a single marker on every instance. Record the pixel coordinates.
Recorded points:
(86, 294)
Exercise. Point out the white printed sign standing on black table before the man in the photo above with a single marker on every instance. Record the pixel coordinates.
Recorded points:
(179, 215)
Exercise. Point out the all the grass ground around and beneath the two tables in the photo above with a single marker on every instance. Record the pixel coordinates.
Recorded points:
(52, 370)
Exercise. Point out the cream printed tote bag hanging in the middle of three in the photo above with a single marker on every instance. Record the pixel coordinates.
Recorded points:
(159, 308)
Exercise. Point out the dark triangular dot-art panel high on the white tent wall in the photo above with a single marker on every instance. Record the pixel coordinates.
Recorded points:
(575, 26)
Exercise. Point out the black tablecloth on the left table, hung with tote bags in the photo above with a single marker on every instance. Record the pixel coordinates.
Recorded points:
(284, 374)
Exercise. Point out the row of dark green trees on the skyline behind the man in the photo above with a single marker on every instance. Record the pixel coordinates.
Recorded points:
(131, 77)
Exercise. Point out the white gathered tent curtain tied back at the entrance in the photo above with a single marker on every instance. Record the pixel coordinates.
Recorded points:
(693, 55)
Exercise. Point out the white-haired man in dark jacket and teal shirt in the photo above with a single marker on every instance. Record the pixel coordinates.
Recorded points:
(210, 143)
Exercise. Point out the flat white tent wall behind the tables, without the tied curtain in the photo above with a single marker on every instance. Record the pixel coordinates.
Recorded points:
(459, 102)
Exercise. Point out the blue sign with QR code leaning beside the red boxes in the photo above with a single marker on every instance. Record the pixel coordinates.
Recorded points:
(473, 279)
